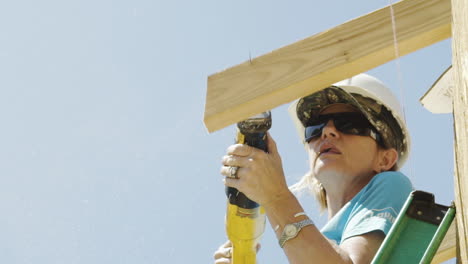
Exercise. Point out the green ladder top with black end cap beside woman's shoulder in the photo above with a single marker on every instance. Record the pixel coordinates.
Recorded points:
(417, 232)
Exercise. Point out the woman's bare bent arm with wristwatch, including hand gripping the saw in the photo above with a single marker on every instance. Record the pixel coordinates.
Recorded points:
(261, 178)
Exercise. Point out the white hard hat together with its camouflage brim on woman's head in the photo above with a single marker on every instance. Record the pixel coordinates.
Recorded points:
(371, 97)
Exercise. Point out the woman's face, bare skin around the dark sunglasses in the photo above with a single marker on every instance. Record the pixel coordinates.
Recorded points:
(335, 153)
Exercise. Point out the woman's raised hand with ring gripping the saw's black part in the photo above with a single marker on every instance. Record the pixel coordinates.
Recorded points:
(260, 175)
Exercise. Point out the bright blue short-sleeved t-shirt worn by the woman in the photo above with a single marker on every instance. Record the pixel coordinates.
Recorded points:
(375, 207)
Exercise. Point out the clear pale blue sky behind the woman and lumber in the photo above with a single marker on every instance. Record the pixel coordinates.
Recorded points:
(104, 155)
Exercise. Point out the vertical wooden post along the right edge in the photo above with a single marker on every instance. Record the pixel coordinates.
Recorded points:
(460, 118)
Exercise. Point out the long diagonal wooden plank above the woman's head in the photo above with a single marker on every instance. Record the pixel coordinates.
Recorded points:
(318, 61)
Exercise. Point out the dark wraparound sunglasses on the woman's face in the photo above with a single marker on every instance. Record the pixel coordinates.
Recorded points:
(352, 123)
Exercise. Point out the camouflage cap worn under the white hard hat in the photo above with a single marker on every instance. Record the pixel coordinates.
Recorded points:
(309, 107)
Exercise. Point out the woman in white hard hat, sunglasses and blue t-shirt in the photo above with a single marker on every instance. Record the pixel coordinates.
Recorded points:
(356, 140)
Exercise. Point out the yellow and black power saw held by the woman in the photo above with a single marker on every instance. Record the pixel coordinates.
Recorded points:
(245, 219)
